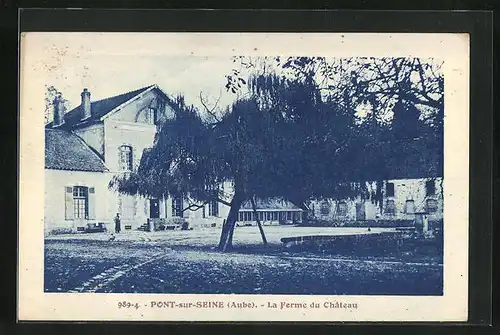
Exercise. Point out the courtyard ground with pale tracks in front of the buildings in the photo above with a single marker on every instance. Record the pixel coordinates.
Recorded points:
(187, 262)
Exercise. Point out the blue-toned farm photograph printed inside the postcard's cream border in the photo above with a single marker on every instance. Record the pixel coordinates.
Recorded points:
(279, 175)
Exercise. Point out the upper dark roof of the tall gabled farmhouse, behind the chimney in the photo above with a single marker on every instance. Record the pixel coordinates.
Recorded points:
(99, 108)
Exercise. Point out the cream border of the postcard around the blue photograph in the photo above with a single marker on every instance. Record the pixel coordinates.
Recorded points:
(34, 304)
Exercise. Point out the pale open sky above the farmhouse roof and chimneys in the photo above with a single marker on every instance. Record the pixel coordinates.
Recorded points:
(106, 76)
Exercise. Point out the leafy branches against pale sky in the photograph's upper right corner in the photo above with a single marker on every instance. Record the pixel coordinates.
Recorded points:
(356, 81)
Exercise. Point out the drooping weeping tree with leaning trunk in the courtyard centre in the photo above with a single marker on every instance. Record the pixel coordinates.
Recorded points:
(194, 157)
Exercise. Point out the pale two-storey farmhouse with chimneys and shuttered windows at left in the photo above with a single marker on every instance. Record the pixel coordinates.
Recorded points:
(87, 146)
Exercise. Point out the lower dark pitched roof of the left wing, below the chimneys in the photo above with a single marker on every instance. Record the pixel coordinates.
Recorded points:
(66, 151)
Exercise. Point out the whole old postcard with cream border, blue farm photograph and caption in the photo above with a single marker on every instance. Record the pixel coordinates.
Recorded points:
(243, 177)
